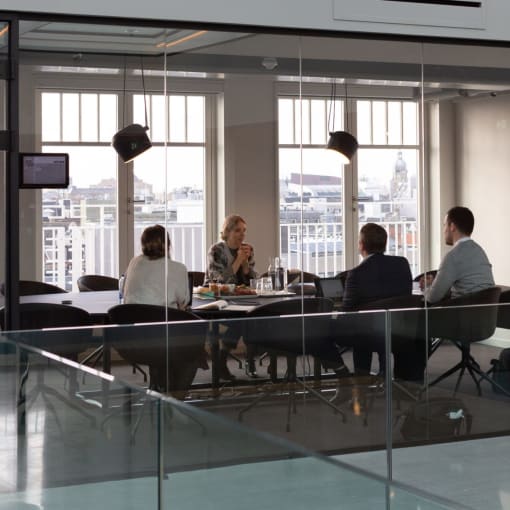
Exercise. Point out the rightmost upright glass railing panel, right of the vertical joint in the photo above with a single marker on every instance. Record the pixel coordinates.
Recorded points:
(454, 424)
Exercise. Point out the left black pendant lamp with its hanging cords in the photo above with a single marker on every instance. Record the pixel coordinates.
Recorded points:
(131, 140)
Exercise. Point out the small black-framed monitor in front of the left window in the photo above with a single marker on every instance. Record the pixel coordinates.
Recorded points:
(44, 170)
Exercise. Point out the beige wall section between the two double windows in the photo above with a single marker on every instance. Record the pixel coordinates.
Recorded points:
(251, 182)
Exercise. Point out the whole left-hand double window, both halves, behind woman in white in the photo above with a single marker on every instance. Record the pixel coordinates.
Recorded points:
(79, 225)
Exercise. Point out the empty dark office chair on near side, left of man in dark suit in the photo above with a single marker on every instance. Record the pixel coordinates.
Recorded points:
(268, 328)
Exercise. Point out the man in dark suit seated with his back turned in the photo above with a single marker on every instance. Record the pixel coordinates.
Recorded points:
(377, 277)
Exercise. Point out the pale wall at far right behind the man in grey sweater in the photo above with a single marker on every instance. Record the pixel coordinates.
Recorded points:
(483, 175)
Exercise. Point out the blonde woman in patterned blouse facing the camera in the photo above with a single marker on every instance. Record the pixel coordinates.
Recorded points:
(232, 261)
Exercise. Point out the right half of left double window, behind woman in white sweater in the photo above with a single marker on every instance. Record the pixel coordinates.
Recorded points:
(169, 181)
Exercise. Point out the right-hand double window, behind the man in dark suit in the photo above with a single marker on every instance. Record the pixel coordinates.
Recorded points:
(312, 223)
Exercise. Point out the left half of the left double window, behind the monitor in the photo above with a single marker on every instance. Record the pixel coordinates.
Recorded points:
(80, 224)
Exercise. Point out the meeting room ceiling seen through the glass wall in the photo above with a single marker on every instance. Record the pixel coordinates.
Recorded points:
(363, 61)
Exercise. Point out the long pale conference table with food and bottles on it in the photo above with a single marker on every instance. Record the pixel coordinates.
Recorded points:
(97, 304)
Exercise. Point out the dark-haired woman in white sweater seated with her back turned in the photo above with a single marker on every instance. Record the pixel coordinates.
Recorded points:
(145, 283)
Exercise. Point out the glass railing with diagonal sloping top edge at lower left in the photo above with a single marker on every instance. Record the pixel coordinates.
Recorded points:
(76, 438)
